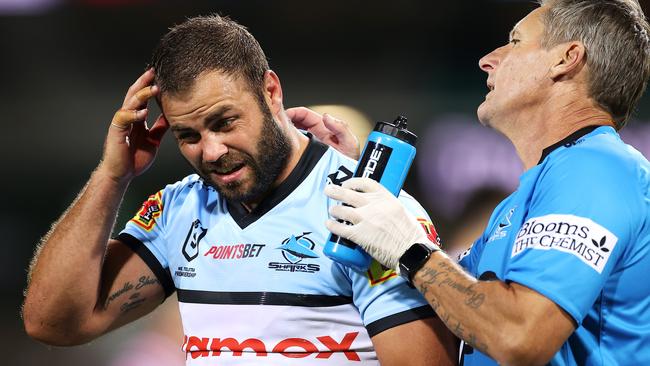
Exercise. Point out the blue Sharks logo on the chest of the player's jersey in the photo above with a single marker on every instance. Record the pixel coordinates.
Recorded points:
(294, 250)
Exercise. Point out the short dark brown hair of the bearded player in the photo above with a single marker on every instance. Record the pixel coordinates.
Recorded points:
(208, 43)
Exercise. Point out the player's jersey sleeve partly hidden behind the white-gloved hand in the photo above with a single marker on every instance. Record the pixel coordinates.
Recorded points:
(383, 298)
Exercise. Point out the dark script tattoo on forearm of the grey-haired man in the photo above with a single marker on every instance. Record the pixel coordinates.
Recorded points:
(448, 276)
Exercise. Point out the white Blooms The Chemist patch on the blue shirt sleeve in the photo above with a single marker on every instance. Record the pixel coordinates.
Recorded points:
(579, 236)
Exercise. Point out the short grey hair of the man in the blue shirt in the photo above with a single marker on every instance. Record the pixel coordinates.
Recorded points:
(615, 34)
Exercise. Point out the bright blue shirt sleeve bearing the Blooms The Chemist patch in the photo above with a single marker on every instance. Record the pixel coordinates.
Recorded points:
(579, 222)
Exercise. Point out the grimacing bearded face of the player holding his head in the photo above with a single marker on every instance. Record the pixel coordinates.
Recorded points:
(231, 142)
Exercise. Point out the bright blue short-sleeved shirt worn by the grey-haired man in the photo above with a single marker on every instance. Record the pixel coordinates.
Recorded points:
(577, 230)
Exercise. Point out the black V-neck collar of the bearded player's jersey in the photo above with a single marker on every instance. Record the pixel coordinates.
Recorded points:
(306, 164)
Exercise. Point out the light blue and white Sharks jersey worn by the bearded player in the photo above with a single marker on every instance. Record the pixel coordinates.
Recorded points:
(255, 288)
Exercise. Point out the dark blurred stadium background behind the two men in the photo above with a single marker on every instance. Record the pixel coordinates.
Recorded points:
(65, 66)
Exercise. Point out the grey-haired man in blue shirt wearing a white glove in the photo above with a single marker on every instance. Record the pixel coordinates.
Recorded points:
(560, 274)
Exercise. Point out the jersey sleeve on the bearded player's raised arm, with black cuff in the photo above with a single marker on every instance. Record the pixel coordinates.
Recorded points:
(145, 235)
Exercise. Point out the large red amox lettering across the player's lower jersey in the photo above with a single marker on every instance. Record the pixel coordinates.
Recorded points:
(196, 347)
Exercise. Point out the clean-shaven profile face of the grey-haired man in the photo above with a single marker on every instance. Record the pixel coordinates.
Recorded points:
(517, 74)
